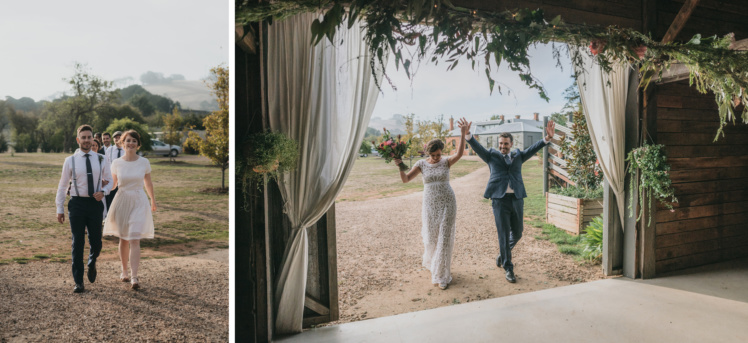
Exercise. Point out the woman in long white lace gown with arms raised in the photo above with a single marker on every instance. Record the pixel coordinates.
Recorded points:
(439, 211)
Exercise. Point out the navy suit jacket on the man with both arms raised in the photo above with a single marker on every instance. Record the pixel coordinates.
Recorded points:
(503, 174)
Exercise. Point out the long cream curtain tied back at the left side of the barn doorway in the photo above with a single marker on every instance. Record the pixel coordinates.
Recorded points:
(321, 96)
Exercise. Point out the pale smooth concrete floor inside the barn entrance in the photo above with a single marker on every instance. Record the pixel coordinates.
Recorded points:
(705, 304)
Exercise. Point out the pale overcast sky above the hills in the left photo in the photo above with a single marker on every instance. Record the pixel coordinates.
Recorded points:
(41, 40)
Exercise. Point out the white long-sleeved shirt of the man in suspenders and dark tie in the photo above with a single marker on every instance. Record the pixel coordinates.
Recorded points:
(100, 168)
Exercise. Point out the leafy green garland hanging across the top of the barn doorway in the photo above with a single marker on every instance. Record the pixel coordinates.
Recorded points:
(436, 30)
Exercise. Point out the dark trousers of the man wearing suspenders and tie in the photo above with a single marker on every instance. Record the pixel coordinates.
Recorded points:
(85, 213)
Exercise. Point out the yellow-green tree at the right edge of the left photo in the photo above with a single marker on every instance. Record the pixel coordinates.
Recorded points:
(215, 145)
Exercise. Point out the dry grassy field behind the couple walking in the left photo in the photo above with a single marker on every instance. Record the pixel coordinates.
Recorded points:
(189, 219)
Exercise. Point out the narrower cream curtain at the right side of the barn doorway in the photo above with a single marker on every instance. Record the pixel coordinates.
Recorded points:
(604, 103)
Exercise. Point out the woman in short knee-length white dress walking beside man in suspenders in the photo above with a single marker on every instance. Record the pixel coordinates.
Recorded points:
(131, 216)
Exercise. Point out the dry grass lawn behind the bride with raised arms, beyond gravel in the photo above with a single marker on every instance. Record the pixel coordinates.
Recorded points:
(372, 178)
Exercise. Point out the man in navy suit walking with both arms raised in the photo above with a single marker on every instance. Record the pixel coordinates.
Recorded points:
(507, 191)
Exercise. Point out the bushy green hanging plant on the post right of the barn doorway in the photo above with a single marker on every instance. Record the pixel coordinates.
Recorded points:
(654, 179)
